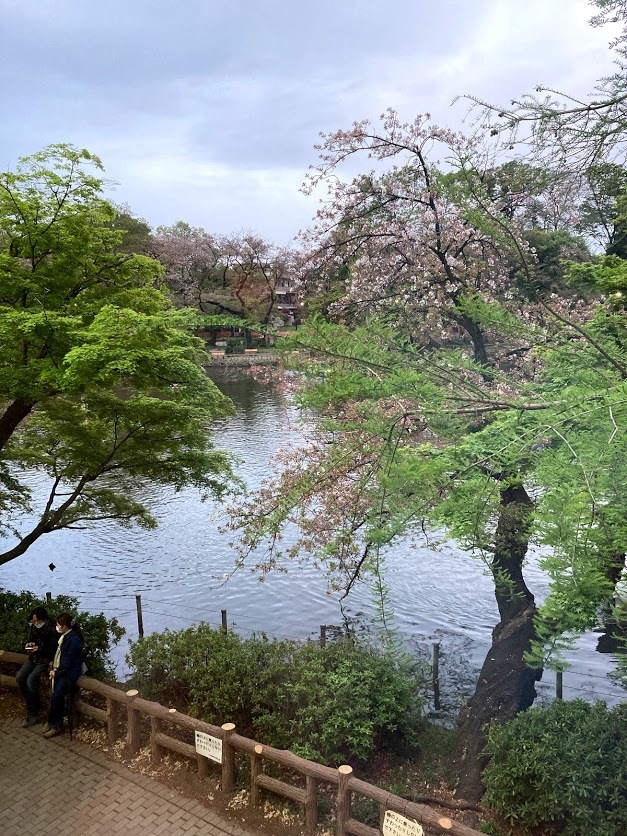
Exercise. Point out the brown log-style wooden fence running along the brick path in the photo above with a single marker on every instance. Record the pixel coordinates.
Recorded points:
(128, 706)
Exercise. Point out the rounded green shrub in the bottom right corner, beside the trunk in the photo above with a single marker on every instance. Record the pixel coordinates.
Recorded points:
(563, 767)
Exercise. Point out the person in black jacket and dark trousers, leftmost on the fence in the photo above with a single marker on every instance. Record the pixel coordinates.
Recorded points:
(41, 647)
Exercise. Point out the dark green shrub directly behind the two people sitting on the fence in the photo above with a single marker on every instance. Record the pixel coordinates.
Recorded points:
(100, 632)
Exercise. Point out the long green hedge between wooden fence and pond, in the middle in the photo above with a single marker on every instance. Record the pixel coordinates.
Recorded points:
(330, 704)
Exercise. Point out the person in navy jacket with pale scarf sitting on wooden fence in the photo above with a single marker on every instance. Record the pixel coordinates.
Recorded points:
(67, 667)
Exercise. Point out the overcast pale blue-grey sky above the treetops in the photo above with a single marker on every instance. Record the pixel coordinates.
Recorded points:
(208, 110)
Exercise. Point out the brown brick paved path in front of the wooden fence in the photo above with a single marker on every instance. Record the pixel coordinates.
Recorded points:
(70, 789)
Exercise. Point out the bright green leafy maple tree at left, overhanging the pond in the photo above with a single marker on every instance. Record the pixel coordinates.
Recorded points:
(101, 382)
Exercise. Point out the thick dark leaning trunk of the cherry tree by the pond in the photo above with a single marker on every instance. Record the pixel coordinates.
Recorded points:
(506, 685)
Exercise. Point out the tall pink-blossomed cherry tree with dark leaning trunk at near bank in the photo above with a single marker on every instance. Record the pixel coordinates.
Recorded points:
(431, 384)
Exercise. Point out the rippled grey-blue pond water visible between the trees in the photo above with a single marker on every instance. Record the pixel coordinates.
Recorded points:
(437, 595)
